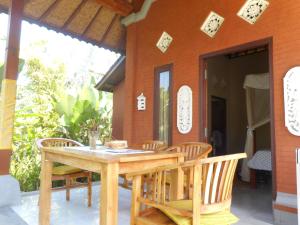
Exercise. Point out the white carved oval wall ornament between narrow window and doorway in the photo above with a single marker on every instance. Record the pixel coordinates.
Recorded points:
(184, 109)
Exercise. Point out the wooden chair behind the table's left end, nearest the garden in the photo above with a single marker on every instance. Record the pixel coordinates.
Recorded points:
(66, 173)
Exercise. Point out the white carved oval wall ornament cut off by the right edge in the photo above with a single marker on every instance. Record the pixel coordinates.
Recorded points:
(292, 100)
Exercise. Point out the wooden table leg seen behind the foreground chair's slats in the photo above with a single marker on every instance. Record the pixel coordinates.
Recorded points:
(177, 181)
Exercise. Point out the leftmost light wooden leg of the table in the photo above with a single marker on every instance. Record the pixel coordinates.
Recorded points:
(45, 191)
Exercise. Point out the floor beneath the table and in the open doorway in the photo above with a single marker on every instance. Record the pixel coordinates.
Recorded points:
(252, 207)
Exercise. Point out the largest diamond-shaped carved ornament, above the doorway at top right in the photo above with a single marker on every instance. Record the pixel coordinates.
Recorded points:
(252, 10)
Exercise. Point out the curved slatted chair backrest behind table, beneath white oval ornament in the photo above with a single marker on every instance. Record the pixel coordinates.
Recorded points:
(195, 150)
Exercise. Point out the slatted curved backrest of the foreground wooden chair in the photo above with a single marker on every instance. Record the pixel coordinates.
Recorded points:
(212, 185)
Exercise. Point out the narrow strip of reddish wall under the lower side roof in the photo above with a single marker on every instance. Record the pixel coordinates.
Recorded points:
(118, 111)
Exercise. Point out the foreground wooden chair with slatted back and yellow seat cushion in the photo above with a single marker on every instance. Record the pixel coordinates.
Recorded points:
(208, 203)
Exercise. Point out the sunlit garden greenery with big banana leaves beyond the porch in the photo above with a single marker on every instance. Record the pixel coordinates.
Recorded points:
(46, 108)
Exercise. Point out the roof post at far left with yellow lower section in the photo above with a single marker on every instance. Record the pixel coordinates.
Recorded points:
(9, 84)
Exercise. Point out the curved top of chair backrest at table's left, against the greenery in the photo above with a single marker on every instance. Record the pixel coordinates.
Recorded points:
(56, 142)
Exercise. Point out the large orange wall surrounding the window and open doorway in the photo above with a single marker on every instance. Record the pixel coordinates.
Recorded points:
(182, 20)
